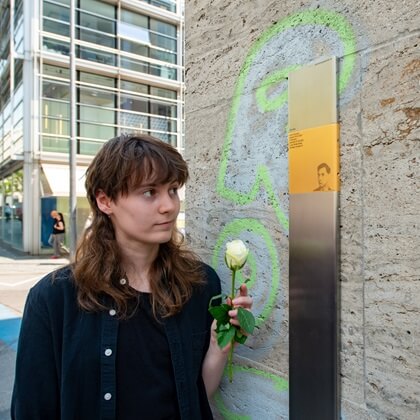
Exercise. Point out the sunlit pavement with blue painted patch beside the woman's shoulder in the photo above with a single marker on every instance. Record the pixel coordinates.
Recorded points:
(18, 273)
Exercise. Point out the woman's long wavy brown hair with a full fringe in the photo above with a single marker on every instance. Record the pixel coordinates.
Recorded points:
(122, 164)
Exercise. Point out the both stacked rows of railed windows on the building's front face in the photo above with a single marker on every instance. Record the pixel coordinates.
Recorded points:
(108, 105)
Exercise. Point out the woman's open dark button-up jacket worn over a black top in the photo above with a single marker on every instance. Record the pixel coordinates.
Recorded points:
(65, 366)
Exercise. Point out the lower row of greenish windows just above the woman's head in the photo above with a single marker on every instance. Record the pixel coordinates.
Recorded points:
(106, 106)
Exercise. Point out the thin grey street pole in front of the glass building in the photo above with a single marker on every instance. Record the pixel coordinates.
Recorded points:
(73, 144)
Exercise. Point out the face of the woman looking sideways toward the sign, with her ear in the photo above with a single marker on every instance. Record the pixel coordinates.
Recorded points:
(145, 216)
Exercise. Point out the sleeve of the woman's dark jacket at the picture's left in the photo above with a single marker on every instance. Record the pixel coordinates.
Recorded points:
(36, 393)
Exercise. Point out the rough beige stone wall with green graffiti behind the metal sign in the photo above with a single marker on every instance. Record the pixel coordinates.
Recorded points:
(236, 146)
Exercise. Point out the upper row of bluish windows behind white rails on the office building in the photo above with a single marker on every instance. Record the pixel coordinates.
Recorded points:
(132, 40)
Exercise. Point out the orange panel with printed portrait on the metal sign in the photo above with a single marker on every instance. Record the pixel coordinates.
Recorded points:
(314, 160)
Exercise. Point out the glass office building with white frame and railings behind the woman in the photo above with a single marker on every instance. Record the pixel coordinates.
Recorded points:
(128, 61)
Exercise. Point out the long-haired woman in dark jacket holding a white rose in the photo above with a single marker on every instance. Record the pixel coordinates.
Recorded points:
(124, 332)
